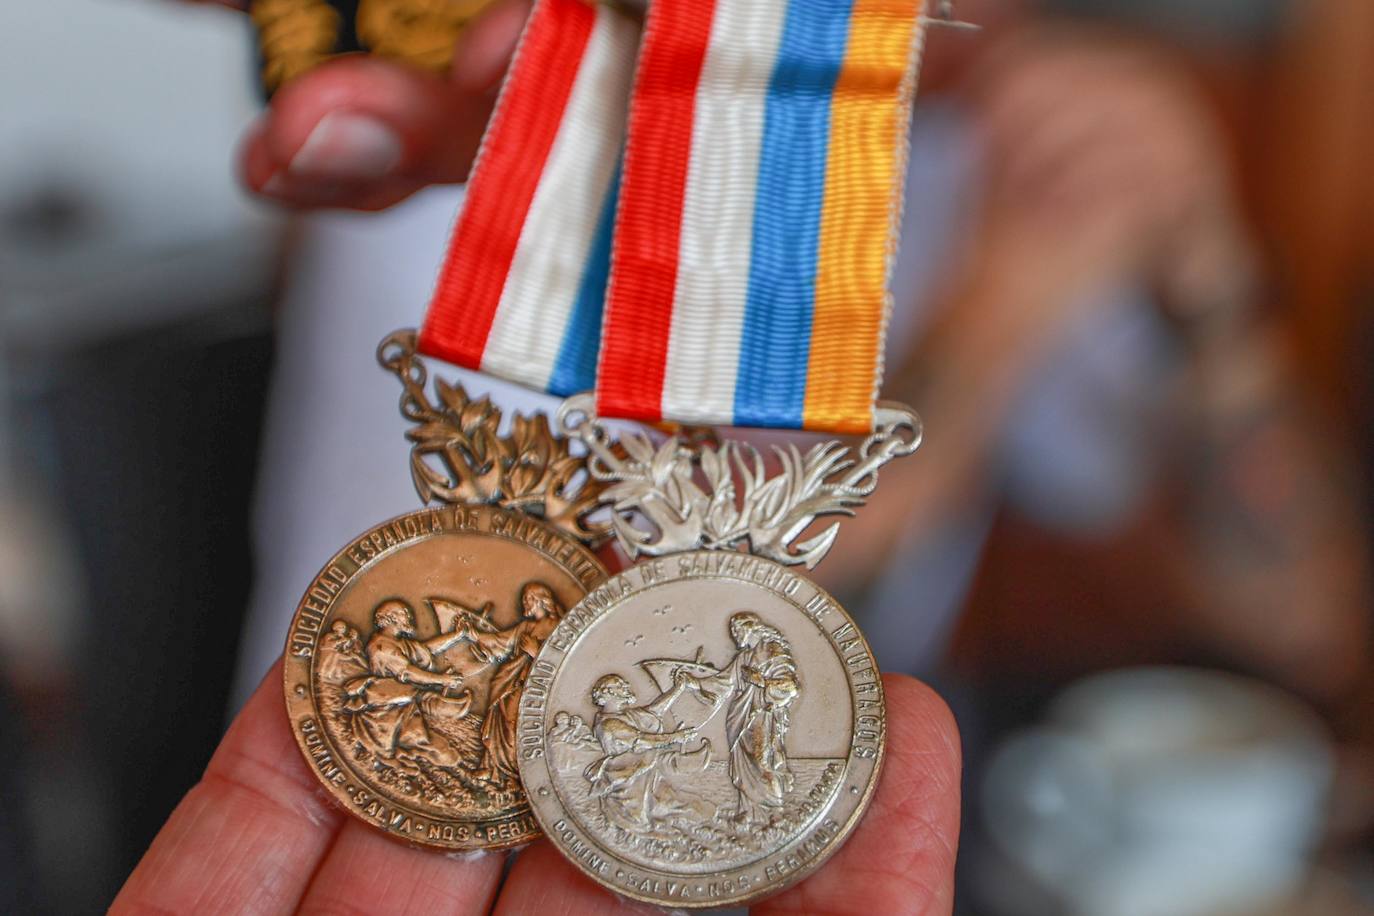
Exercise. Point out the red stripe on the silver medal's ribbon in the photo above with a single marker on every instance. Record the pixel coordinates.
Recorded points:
(640, 308)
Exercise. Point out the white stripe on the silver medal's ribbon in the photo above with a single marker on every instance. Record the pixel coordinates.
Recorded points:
(715, 255)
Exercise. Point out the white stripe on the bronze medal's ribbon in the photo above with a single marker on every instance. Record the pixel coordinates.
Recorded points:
(561, 226)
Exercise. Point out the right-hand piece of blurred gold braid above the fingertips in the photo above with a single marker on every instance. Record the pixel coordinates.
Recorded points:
(420, 32)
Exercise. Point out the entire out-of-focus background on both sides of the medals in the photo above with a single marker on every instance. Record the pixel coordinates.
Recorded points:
(1134, 554)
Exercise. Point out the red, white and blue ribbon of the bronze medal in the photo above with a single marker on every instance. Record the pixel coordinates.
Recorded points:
(523, 288)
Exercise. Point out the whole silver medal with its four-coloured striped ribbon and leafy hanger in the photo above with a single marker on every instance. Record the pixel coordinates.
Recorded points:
(708, 727)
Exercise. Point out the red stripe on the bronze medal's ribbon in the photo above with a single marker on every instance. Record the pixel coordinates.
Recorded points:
(505, 179)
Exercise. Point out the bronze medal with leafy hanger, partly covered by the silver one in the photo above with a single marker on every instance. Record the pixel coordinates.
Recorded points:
(410, 652)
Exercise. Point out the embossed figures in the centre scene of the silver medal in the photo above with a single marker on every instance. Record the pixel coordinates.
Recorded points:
(656, 782)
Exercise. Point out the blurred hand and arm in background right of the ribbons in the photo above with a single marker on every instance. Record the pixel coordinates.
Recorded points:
(1103, 171)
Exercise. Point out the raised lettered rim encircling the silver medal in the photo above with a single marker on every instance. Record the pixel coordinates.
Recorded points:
(538, 777)
